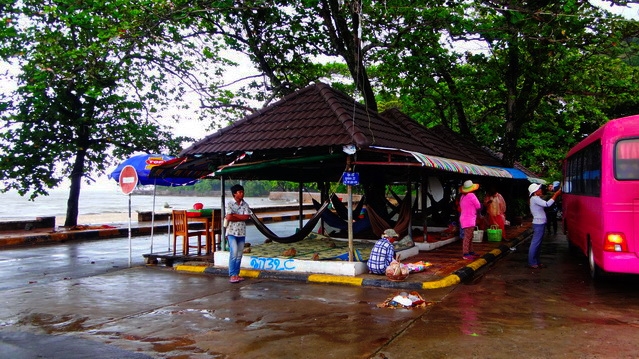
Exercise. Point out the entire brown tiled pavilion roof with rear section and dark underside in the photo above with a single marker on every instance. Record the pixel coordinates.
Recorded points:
(301, 137)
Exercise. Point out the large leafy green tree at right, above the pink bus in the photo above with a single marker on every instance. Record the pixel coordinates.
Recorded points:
(518, 68)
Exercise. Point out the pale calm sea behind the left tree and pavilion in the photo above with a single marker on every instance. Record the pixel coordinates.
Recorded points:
(104, 201)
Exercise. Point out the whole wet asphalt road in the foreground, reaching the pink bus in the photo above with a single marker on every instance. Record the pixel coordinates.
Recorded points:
(112, 311)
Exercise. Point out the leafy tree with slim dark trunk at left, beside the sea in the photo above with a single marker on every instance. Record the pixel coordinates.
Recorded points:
(93, 78)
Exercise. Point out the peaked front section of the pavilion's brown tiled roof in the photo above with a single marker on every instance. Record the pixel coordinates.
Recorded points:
(316, 118)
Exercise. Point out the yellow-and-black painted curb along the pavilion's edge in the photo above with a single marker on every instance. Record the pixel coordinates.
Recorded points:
(461, 275)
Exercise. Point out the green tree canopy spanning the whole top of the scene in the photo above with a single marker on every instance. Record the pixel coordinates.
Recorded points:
(527, 79)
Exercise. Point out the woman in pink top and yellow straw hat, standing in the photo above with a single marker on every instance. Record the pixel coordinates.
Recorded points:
(468, 205)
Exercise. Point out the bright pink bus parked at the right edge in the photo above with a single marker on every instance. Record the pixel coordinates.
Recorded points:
(600, 200)
